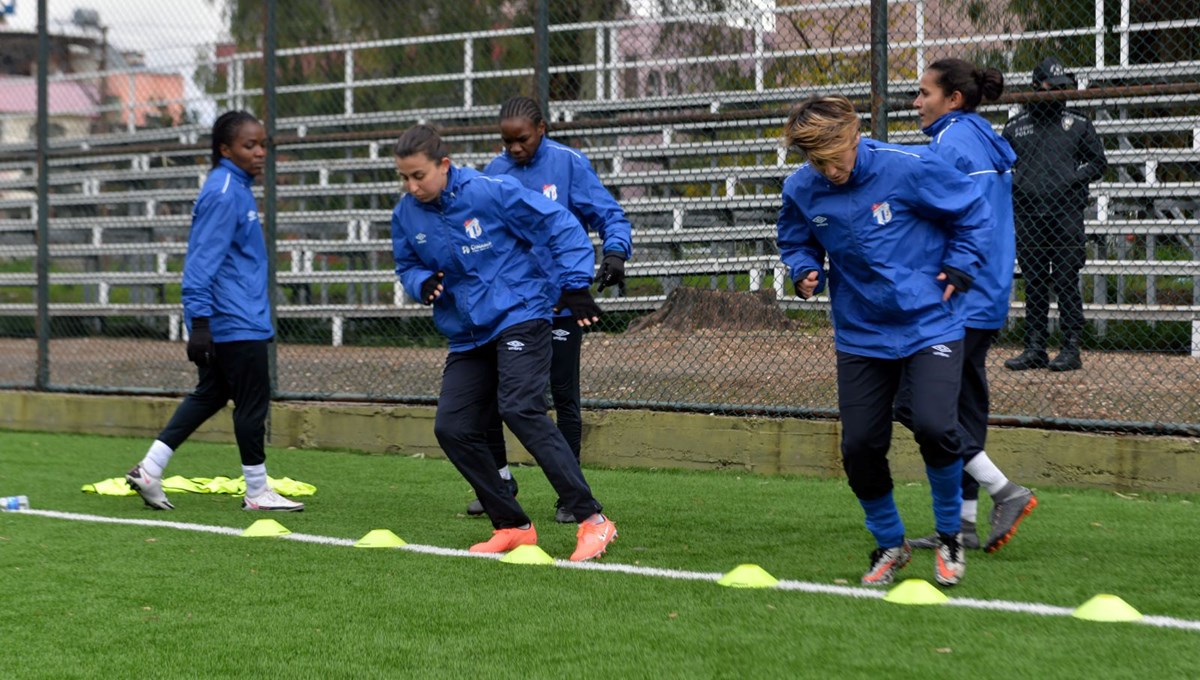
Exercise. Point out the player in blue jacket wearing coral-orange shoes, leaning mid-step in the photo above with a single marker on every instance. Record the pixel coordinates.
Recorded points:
(467, 244)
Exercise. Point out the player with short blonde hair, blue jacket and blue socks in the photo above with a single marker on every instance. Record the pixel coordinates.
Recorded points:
(905, 236)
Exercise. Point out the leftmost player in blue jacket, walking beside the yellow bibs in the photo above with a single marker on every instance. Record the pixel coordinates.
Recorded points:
(229, 311)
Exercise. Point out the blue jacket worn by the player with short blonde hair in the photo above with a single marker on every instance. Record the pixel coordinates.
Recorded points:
(890, 231)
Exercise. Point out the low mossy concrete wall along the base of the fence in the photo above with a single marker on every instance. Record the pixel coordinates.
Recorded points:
(647, 440)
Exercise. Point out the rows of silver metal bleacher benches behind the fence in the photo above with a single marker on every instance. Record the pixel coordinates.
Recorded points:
(699, 177)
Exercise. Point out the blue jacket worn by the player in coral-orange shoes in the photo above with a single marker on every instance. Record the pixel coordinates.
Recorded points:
(482, 234)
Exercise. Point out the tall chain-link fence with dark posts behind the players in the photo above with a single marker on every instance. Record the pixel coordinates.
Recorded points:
(680, 107)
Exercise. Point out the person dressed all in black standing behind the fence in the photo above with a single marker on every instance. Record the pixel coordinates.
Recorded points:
(1058, 155)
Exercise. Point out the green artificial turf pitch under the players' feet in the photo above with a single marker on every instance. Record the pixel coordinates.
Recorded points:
(89, 600)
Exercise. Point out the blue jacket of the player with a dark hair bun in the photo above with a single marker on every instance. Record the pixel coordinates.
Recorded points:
(968, 142)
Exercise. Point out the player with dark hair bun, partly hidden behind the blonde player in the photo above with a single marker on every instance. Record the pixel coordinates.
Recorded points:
(950, 92)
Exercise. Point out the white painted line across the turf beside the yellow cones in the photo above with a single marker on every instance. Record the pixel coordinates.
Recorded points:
(800, 586)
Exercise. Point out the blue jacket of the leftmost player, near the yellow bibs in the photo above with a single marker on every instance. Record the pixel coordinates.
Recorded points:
(225, 272)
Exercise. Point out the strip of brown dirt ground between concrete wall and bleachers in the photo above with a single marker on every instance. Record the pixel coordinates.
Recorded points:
(730, 372)
